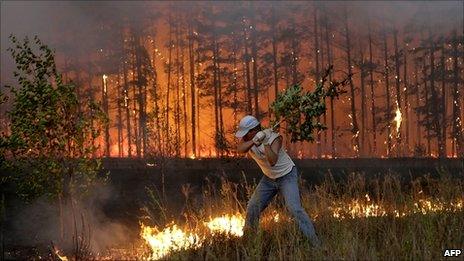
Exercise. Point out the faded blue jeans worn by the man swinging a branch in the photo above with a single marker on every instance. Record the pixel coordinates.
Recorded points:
(266, 190)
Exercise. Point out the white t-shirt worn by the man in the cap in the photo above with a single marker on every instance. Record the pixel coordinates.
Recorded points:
(283, 165)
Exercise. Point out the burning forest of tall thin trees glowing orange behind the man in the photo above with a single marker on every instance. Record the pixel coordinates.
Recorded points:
(175, 79)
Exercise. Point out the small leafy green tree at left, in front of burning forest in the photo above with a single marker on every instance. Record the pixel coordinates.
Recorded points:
(48, 152)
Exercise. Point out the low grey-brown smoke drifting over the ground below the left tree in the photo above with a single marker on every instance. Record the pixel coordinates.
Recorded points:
(39, 224)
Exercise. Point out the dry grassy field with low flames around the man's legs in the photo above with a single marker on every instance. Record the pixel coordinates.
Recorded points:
(360, 216)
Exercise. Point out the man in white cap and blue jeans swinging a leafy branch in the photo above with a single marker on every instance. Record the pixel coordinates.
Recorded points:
(280, 175)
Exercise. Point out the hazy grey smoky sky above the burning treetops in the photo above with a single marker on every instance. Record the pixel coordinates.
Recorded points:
(69, 26)
